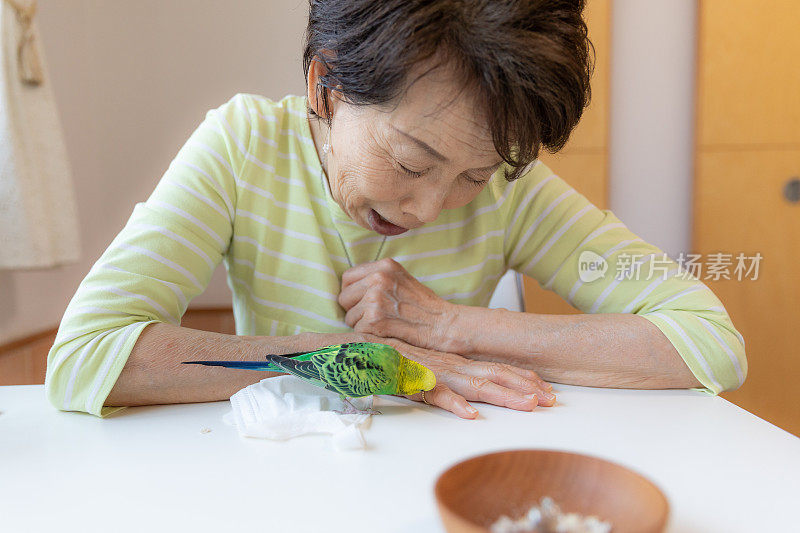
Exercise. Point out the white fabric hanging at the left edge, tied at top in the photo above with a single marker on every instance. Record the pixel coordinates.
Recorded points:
(38, 215)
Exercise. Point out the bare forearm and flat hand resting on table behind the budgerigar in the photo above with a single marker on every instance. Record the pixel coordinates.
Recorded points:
(154, 374)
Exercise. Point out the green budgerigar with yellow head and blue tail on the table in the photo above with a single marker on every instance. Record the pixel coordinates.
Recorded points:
(352, 370)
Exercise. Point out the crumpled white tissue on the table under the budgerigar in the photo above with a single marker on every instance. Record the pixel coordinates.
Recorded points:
(283, 407)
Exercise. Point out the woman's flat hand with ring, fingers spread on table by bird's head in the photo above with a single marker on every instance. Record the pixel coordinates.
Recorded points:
(460, 380)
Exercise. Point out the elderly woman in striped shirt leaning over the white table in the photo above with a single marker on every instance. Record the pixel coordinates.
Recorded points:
(384, 205)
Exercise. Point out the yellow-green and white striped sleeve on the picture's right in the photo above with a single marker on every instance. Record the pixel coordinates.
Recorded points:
(593, 261)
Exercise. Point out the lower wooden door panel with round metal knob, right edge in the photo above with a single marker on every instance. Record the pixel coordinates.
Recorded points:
(740, 208)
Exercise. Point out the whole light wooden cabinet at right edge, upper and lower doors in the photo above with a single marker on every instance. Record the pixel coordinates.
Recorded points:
(747, 150)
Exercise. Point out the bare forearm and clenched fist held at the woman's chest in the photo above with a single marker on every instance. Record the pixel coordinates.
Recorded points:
(603, 350)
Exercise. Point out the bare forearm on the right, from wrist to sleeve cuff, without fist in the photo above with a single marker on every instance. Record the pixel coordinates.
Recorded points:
(608, 350)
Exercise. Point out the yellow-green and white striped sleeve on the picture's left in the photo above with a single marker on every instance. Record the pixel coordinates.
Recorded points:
(162, 258)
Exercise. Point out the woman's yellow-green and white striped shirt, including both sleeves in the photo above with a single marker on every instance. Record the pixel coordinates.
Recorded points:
(247, 189)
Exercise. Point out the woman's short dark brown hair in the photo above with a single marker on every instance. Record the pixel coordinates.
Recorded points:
(528, 60)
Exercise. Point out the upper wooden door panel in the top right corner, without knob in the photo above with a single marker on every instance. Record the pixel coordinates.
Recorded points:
(749, 75)
